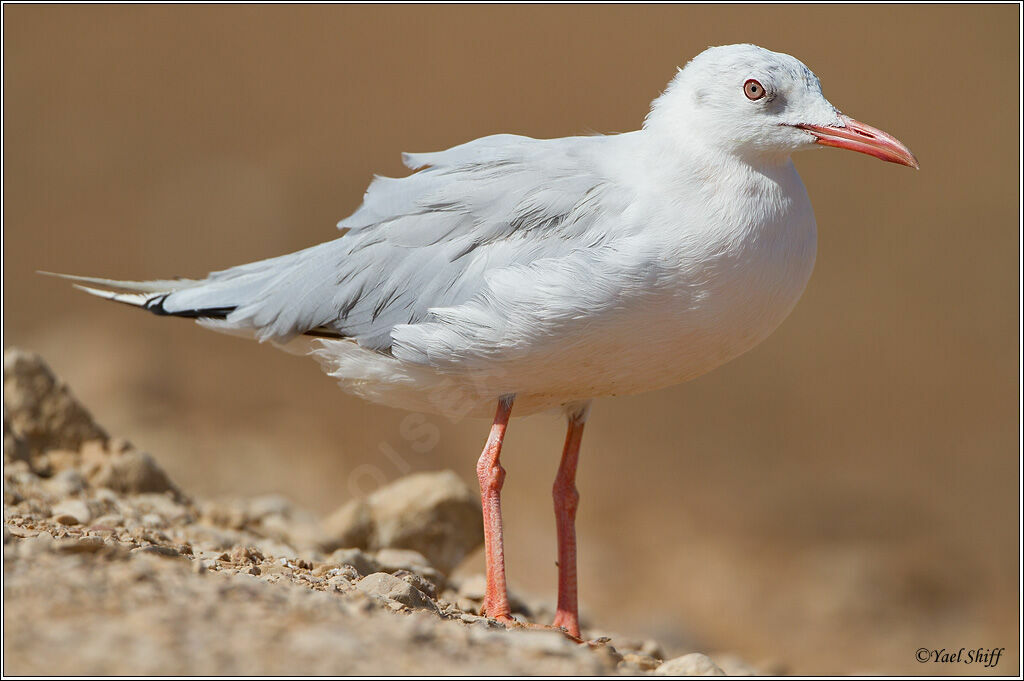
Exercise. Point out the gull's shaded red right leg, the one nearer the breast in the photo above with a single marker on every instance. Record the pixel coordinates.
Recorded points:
(567, 501)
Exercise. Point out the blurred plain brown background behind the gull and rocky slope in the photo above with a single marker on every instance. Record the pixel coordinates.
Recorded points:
(838, 498)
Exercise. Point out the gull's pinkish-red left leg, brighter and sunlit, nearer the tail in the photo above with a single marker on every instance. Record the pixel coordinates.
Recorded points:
(492, 476)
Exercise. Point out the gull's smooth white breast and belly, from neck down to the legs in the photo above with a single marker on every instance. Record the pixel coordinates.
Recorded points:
(714, 292)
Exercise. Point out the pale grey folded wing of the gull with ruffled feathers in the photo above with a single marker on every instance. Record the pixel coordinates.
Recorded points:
(423, 242)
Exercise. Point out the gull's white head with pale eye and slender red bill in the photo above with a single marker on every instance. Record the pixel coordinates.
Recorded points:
(762, 106)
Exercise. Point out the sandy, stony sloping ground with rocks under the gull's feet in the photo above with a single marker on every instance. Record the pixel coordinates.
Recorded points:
(110, 569)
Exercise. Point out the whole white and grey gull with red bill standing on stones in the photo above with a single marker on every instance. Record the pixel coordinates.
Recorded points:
(543, 274)
